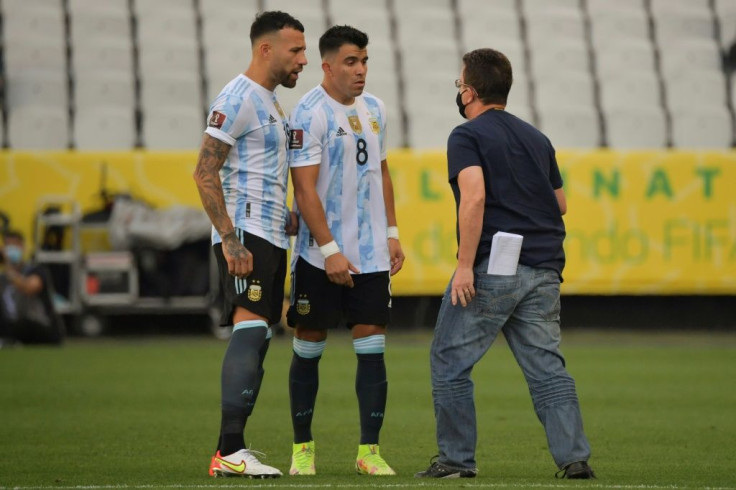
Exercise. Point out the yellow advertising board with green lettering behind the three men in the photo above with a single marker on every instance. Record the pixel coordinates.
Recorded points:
(654, 222)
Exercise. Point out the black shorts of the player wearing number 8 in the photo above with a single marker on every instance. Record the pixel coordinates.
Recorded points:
(318, 304)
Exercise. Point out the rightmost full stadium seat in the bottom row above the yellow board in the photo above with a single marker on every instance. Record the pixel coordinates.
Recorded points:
(702, 127)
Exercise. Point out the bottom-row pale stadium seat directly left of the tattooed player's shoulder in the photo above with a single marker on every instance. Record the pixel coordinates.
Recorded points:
(173, 128)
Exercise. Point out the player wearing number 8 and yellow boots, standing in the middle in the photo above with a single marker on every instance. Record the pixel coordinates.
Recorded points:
(348, 242)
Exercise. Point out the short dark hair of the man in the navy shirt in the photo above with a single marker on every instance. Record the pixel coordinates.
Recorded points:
(489, 72)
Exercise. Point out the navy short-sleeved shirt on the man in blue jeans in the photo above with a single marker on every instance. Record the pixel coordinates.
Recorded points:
(521, 175)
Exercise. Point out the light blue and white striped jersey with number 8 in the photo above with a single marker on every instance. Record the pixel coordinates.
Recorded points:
(349, 143)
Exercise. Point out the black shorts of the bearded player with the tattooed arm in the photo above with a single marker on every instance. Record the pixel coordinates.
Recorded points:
(262, 292)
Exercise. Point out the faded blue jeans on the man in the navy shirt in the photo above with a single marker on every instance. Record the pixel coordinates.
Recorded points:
(526, 307)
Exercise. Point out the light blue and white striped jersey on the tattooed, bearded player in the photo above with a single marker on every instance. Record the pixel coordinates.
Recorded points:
(256, 173)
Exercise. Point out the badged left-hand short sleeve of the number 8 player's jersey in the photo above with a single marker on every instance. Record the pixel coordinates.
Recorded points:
(307, 138)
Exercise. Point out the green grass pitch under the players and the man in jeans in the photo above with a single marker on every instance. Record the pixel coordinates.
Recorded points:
(659, 410)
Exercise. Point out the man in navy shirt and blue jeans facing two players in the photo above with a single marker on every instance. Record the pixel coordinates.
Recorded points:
(504, 176)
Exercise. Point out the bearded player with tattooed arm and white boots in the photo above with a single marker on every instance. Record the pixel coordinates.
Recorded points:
(242, 177)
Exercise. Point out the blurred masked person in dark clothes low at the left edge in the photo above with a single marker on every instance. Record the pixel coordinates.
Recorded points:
(27, 313)
